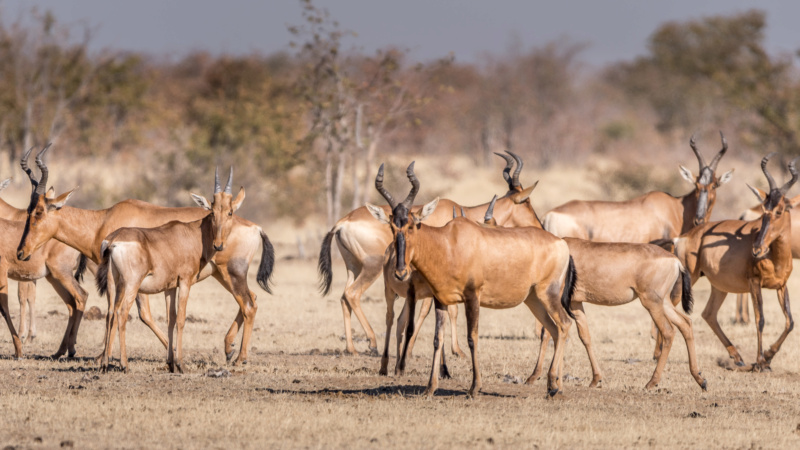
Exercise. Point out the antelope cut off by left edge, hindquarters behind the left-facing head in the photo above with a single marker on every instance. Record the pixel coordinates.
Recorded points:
(55, 262)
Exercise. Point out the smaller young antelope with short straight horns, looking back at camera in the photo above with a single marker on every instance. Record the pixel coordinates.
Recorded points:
(166, 259)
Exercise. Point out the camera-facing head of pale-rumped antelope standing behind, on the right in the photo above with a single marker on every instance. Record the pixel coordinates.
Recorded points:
(707, 182)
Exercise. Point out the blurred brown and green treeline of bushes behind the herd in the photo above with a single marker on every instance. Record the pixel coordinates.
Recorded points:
(307, 126)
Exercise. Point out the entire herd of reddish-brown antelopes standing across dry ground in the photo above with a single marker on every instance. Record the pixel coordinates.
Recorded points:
(494, 255)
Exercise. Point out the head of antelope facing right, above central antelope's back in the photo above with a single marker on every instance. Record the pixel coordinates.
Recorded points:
(515, 208)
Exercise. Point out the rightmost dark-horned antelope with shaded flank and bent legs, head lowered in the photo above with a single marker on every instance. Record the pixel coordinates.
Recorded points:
(738, 256)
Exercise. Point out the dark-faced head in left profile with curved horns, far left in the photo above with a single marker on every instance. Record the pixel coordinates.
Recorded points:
(43, 218)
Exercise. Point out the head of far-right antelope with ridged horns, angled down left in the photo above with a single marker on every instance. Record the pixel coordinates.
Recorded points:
(775, 219)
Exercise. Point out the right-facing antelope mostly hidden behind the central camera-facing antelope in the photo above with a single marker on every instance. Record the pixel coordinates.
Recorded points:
(362, 242)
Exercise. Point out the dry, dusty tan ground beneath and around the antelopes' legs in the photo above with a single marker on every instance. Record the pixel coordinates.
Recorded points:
(298, 390)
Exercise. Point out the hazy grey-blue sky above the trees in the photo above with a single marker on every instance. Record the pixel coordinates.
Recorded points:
(616, 30)
